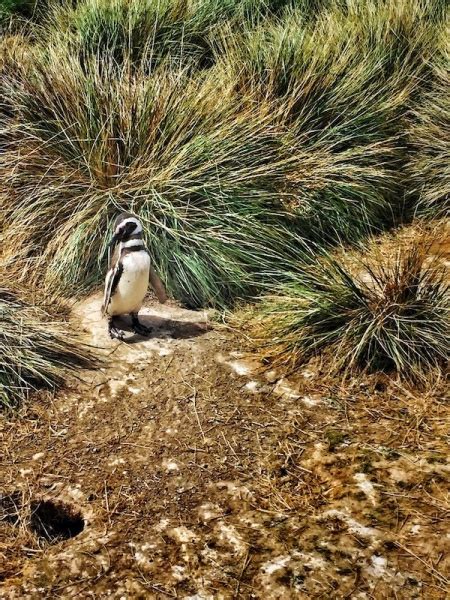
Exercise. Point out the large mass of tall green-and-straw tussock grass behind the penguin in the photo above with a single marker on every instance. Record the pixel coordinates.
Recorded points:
(243, 133)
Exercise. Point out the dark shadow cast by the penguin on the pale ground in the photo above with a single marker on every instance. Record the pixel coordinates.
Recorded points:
(162, 329)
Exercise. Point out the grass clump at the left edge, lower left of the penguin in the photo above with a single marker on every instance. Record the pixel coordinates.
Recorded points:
(35, 350)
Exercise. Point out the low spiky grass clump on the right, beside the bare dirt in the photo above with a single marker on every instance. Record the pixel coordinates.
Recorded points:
(371, 313)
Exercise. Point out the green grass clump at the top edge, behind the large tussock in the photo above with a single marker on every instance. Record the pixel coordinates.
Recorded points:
(151, 31)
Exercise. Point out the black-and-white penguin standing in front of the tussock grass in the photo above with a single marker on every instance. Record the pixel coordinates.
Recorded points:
(129, 273)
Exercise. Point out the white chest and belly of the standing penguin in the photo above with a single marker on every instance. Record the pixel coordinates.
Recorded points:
(133, 284)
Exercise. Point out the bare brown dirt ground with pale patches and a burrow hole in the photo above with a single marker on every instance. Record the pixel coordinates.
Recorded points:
(179, 471)
